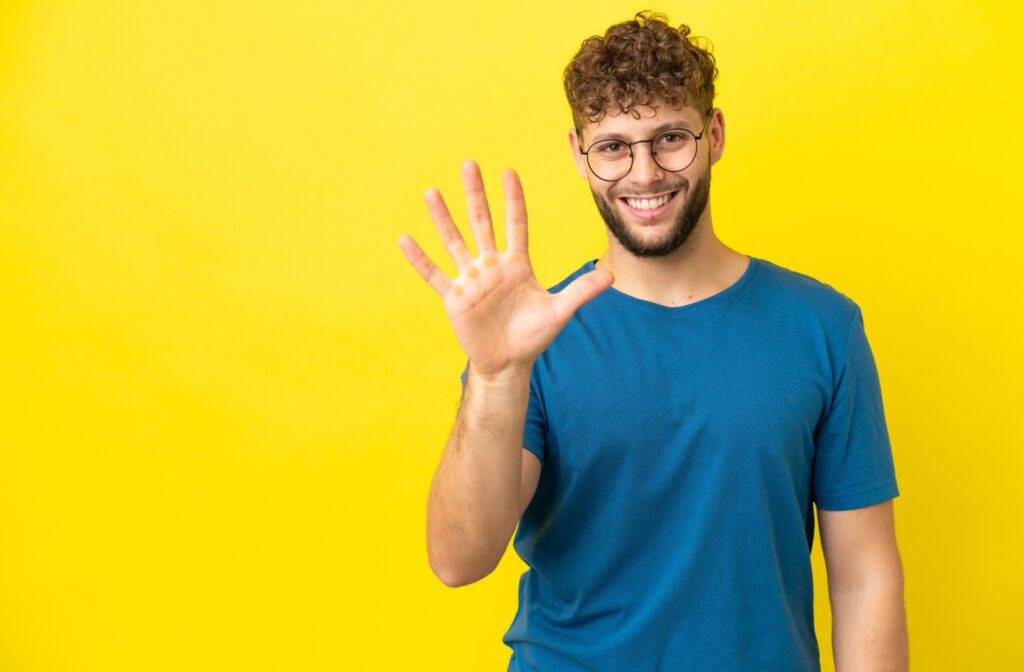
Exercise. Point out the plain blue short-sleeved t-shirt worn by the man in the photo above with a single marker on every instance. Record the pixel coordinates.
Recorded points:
(682, 449)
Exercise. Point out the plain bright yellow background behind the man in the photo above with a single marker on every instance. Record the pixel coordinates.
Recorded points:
(226, 392)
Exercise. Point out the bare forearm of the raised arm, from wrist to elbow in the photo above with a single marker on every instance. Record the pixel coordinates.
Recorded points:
(474, 506)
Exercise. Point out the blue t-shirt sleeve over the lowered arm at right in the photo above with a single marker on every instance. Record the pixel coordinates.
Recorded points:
(854, 463)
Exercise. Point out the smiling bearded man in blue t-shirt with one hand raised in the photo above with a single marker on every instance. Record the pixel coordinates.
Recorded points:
(660, 423)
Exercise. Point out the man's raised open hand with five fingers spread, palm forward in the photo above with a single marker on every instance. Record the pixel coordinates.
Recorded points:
(502, 317)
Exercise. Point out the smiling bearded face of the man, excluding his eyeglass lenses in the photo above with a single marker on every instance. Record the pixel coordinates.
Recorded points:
(659, 231)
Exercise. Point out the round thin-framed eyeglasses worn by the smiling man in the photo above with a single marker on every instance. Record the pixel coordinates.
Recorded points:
(673, 151)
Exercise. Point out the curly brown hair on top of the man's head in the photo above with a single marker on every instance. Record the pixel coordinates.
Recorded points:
(636, 63)
